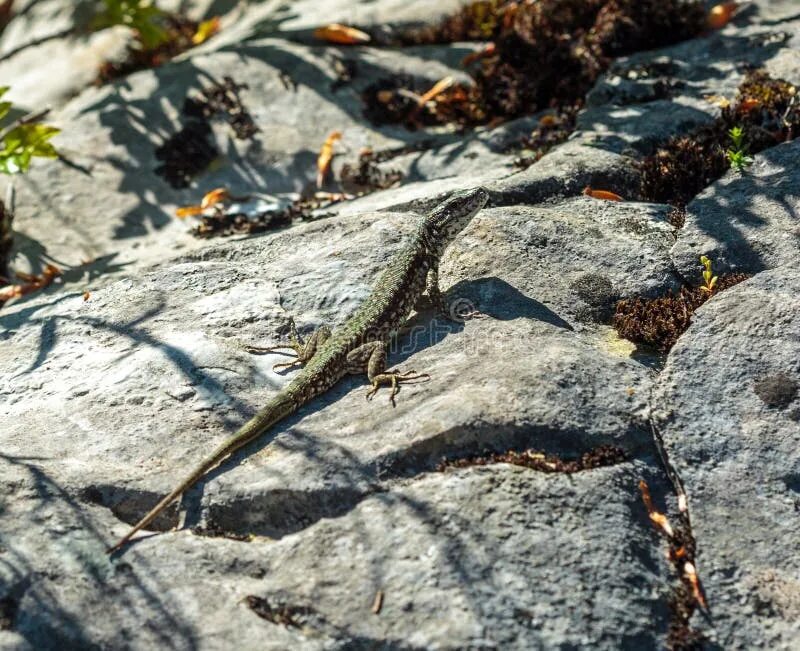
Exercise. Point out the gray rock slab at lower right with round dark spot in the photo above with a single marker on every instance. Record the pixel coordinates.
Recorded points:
(730, 412)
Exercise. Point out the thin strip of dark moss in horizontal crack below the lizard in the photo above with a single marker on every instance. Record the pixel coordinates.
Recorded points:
(604, 455)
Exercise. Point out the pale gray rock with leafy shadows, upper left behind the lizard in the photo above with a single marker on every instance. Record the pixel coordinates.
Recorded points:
(110, 202)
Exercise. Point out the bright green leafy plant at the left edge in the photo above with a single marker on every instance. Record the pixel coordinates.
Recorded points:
(23, 139)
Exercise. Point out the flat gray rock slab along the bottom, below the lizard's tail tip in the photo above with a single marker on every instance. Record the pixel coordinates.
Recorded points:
(556, 560)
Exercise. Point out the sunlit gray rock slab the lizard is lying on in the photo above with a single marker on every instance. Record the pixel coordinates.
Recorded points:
(543, 275)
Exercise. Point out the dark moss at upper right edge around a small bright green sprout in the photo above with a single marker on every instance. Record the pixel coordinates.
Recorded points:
(768, 111)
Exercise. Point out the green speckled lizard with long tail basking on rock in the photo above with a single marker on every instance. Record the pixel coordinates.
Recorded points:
(359, 345)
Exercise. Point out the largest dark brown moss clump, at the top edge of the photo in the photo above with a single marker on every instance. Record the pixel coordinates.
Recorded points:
(545, 54)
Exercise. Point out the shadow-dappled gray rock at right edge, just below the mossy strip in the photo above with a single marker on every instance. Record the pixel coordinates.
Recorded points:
(745, 222)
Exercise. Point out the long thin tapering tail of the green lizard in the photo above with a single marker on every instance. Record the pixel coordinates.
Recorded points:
(276, 410)
